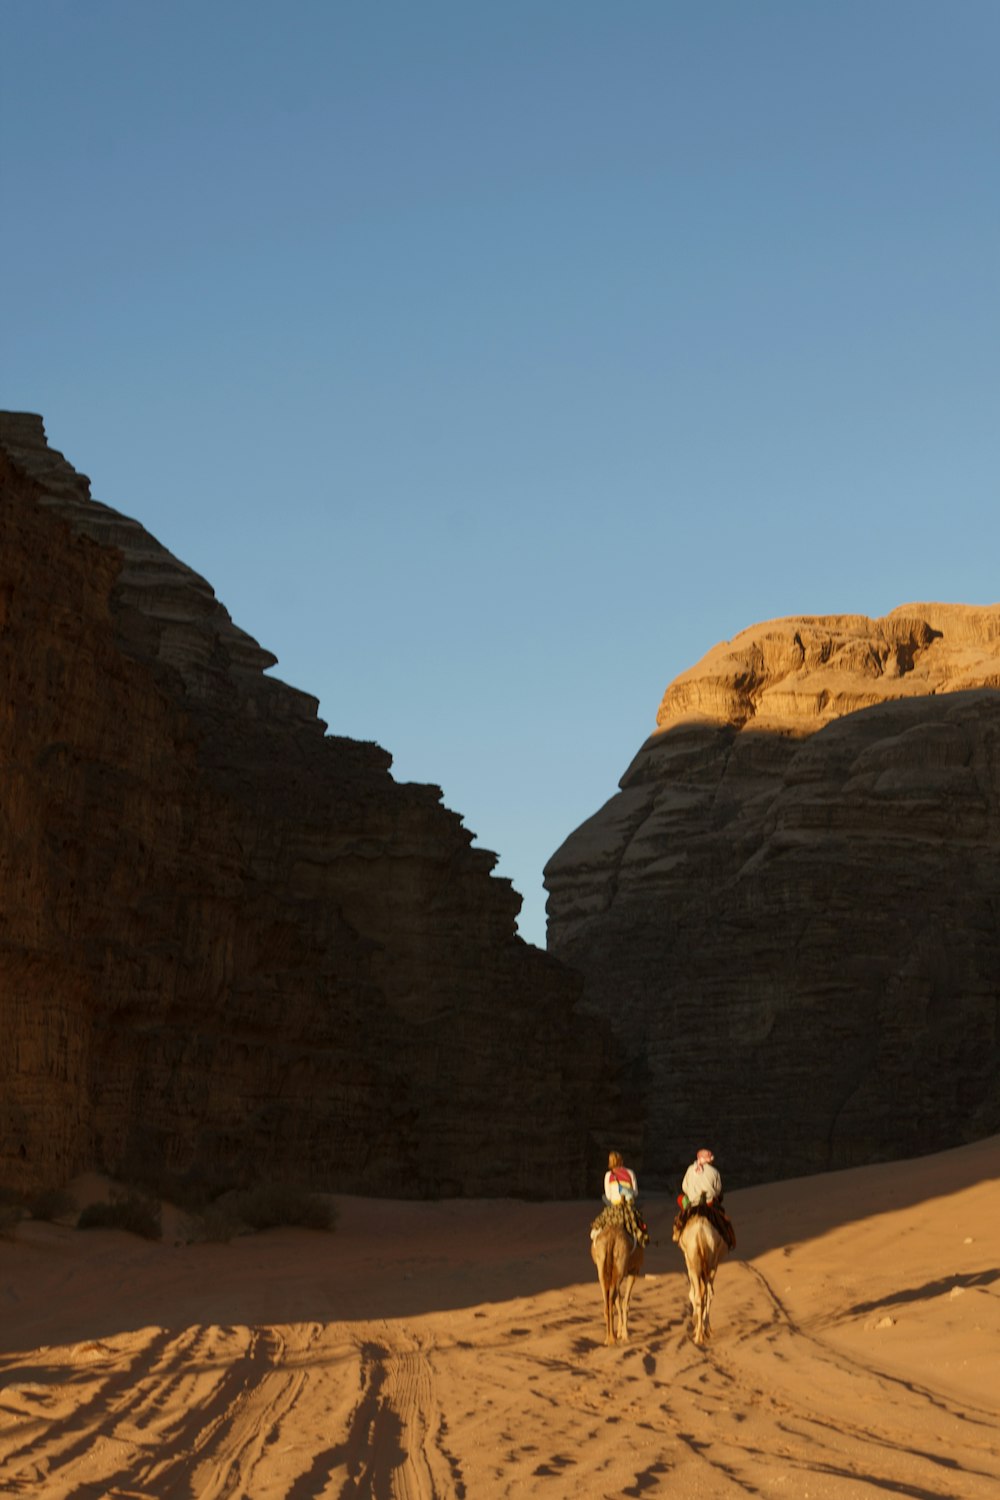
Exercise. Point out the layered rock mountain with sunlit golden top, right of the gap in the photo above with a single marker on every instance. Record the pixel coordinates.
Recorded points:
(791, 911)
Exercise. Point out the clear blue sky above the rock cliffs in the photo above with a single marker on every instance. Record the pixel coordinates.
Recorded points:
(494, 361)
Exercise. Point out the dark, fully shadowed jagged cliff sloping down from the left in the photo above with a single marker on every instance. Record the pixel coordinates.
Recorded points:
(232, 946)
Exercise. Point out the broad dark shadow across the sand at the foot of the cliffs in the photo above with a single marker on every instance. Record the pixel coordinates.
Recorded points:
(397, 1261)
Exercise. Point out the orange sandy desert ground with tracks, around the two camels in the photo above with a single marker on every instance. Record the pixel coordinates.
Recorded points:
(457, 1349)
